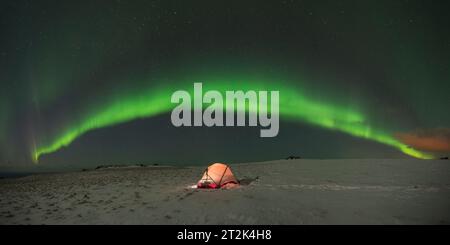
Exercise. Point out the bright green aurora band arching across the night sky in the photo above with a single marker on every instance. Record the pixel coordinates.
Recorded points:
(156, 100)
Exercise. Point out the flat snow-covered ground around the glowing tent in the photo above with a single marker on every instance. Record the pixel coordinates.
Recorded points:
(277, 192)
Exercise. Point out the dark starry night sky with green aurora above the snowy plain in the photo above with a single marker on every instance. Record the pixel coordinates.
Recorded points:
(85, 83)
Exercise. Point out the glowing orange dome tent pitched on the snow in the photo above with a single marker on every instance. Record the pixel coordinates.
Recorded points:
(217, 175)
